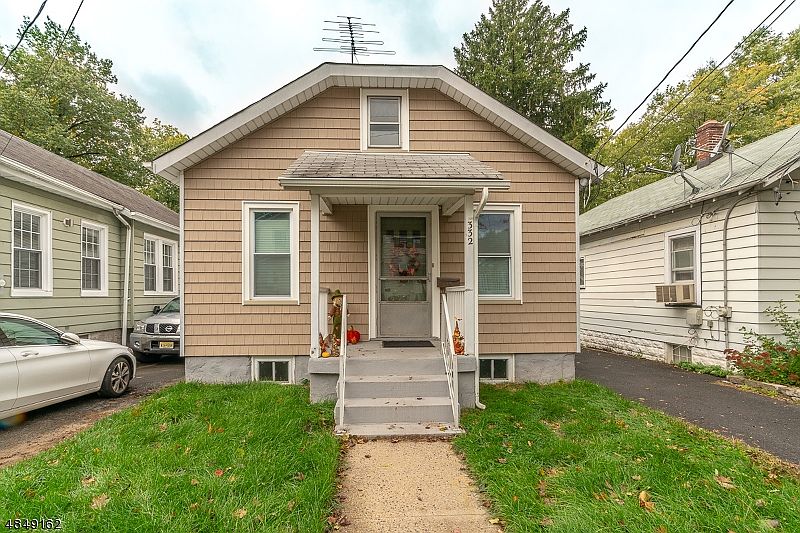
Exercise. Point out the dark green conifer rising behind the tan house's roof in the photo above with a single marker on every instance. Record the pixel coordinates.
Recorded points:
(521, 55)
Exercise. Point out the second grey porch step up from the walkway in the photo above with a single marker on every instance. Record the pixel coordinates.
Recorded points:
(434, 410)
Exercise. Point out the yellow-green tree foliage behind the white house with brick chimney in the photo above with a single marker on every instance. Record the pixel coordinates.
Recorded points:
(758, 92)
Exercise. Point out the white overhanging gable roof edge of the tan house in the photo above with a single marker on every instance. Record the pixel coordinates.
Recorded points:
(329, 75)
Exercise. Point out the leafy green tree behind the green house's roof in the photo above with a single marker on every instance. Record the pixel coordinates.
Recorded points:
(56, 92)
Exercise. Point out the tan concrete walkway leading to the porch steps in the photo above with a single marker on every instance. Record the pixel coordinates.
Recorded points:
(410, 486)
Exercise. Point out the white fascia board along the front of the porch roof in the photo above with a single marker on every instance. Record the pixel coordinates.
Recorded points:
(401, 184)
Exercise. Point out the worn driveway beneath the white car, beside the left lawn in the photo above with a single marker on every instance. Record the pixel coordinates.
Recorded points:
(48, 426)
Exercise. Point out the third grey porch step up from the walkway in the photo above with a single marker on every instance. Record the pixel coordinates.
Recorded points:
(396, 386)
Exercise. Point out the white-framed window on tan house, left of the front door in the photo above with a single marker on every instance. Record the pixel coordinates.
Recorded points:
(270, 242)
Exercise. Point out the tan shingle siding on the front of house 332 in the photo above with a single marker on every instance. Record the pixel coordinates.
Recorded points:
(217, 324)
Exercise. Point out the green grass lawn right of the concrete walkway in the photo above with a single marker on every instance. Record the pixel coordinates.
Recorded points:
(579, 458)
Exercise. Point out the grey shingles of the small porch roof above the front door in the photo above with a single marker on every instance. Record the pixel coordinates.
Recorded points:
(399, 165)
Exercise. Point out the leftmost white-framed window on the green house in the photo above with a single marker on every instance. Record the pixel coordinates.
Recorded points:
(32, 269)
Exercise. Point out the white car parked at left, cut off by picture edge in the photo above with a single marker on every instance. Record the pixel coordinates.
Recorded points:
(41, 365)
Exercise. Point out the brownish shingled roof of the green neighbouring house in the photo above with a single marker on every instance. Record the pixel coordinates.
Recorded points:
(28, 157)
